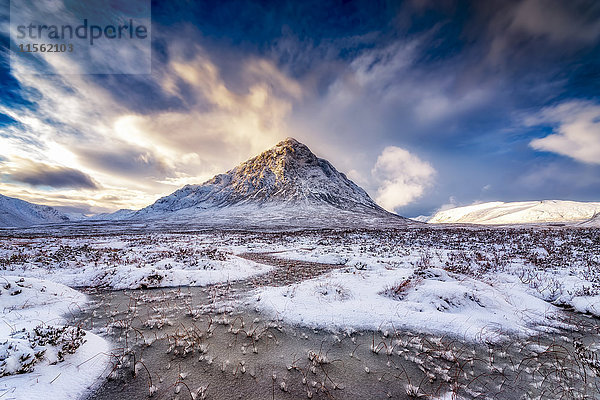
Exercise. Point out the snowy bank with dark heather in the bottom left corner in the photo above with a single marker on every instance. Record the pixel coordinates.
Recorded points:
(39, 353)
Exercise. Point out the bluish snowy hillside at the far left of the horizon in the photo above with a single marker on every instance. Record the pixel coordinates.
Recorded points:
(17, 213)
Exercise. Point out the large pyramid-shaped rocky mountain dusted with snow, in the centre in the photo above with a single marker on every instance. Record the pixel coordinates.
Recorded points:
(285, 185)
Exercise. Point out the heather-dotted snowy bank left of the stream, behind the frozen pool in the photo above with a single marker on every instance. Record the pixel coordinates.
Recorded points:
(128, 262)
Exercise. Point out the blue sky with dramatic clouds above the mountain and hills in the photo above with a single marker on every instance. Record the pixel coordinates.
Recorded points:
(427, 105)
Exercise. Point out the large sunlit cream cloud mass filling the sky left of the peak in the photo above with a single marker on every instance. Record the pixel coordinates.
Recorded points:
(206, 127)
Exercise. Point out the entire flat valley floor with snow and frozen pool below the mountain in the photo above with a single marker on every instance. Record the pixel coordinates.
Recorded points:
(448, 313)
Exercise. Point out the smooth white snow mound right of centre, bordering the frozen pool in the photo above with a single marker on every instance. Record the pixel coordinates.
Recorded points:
(430, 300)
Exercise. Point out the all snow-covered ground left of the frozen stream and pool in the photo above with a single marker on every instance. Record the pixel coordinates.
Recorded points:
(35, 275)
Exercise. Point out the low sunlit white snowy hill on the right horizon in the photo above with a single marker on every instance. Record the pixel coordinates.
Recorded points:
(524, 212)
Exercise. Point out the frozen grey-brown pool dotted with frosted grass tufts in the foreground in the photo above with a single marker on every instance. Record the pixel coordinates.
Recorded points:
(206, 343)
